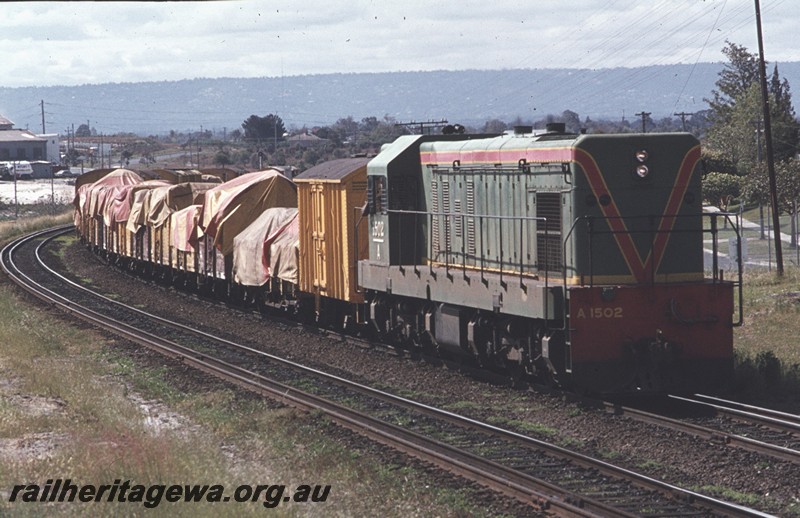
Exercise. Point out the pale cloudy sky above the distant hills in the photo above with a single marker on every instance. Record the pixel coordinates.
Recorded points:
(73, 43)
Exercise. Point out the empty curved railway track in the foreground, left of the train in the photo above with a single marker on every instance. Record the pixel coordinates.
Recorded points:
(546, 476)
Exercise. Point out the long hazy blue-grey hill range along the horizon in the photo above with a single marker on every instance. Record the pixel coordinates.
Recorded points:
(468, 97)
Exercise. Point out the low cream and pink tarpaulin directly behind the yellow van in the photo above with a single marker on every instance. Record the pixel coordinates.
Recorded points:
(267, 247)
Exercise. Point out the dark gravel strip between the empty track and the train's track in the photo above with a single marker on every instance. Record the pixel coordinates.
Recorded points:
(663, 454)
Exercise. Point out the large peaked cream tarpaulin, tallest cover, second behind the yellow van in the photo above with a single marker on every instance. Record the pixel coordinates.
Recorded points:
(230, 207)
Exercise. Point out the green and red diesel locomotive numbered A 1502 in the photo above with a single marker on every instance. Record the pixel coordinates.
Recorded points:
(572, 257)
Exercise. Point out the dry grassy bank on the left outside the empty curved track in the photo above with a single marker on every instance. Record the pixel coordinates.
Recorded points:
(74, 406)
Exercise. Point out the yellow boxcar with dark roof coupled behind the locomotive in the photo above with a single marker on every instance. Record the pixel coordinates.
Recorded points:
(330, 197)
